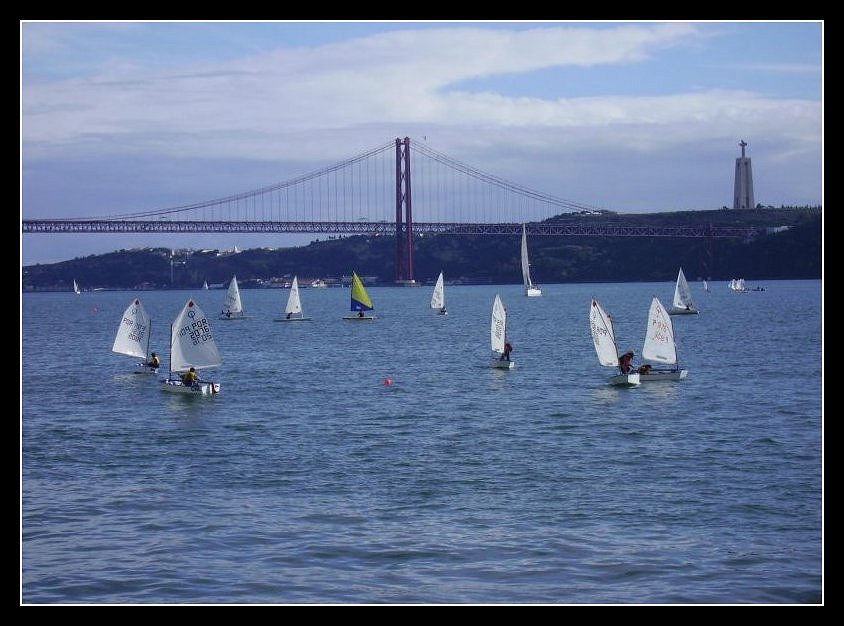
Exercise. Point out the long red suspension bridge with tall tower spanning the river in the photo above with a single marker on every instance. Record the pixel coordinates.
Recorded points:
(377, 192)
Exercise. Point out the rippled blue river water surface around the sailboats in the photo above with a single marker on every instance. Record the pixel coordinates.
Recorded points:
(309, 479)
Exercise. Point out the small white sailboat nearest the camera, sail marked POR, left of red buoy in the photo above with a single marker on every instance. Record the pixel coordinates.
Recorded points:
(192, 347)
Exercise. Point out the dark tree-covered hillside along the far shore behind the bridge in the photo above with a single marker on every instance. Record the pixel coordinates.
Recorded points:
(792, 250)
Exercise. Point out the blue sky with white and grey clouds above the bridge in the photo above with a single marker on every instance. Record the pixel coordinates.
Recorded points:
(633, 117)
